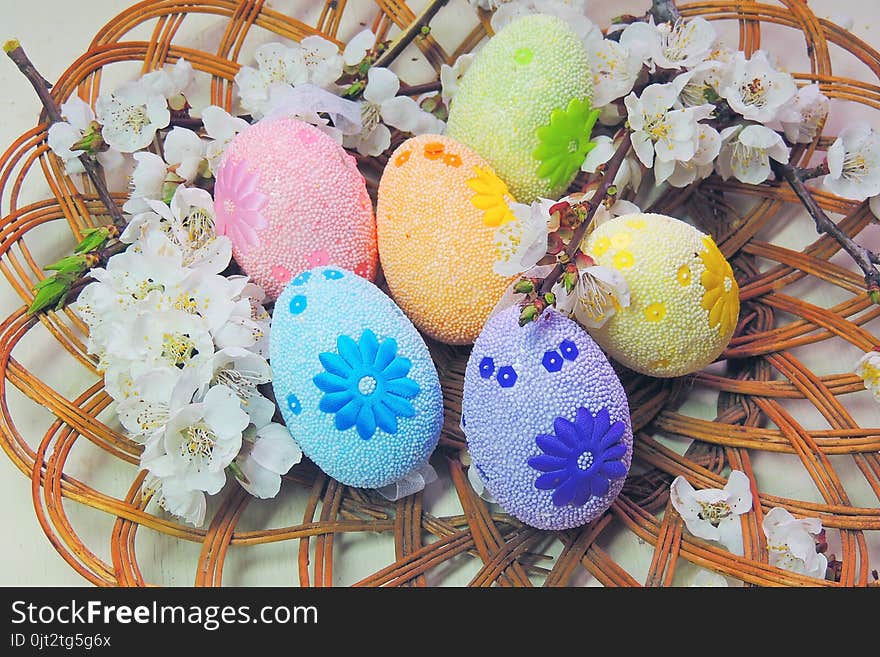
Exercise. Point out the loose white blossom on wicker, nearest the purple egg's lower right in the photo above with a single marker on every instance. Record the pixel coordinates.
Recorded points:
(713, 513)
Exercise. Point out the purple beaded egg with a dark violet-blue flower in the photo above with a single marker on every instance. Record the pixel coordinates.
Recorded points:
(546, 419)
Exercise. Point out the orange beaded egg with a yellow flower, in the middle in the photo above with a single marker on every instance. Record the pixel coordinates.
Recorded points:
(439, 206)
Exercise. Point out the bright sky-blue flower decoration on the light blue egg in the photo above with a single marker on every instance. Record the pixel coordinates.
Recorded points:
(365, 384)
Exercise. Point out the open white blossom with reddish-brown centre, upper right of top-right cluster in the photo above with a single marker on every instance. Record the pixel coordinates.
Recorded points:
(756, 89)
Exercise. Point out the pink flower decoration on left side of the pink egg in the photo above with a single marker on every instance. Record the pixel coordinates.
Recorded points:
(238, 205)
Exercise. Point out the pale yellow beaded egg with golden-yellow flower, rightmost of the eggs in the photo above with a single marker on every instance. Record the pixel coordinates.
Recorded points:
(684, 299)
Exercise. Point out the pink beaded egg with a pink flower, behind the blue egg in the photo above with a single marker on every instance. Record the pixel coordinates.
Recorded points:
(290, 199)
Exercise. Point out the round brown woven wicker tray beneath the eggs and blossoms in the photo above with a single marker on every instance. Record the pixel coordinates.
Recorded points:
(764, 392)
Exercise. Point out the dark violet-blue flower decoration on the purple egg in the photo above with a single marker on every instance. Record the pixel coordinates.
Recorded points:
(581, 458)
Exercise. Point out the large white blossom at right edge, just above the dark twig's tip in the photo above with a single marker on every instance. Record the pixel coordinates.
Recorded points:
(854, 162)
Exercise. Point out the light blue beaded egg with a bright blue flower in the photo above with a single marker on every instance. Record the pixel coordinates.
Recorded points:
(354, 379)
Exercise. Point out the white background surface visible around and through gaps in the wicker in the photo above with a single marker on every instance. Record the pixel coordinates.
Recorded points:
(55, 32)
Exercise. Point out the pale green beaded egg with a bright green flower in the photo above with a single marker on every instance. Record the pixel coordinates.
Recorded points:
(524, 105)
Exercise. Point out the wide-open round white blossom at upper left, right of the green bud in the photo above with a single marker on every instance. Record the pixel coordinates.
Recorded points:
(130, 116)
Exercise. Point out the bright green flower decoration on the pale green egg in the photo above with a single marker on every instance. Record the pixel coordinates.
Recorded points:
(565, 142)
